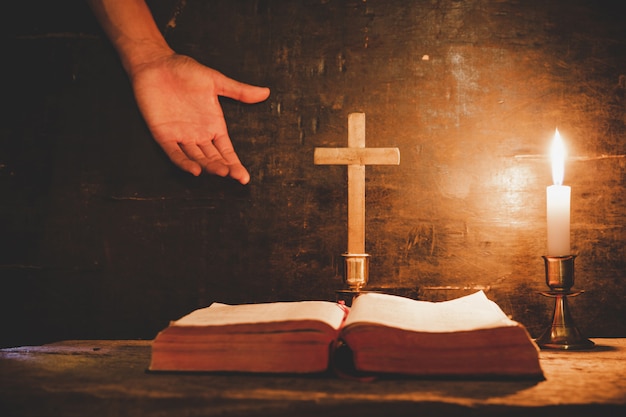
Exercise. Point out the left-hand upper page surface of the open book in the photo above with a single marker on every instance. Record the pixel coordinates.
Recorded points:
(218, 314)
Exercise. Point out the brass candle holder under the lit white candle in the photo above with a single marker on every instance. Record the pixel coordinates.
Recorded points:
(563, 333)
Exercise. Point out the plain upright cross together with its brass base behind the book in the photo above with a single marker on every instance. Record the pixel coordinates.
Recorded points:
(356, 156)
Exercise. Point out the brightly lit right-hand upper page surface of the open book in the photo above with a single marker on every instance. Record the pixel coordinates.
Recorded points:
(471, 312)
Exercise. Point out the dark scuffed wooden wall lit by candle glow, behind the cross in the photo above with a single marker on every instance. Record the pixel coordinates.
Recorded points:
(102, 237)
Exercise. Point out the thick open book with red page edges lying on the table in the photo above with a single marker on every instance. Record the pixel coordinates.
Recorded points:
(385, 334)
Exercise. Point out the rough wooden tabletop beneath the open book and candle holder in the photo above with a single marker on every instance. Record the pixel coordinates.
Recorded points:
(109, 378)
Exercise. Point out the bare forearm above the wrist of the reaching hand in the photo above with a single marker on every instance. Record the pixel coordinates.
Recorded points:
(131, 28)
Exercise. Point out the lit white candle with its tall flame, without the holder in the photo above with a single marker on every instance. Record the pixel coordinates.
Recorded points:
(558, 203)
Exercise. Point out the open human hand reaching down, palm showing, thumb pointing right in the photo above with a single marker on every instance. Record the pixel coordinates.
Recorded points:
(178, 98)
